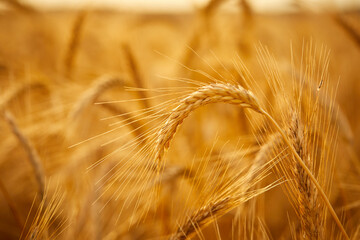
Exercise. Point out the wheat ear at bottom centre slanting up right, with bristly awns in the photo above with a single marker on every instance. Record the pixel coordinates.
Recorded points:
(228, 191)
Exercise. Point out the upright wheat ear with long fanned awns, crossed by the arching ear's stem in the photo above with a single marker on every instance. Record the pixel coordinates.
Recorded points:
(311, 127)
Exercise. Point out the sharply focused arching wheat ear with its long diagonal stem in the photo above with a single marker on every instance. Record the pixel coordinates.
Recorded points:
(236, 95)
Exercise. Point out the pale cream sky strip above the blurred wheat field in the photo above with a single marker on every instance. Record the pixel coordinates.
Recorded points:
(183, 5)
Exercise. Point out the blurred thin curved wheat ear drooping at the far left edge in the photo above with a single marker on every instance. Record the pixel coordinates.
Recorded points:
(30, 150)
